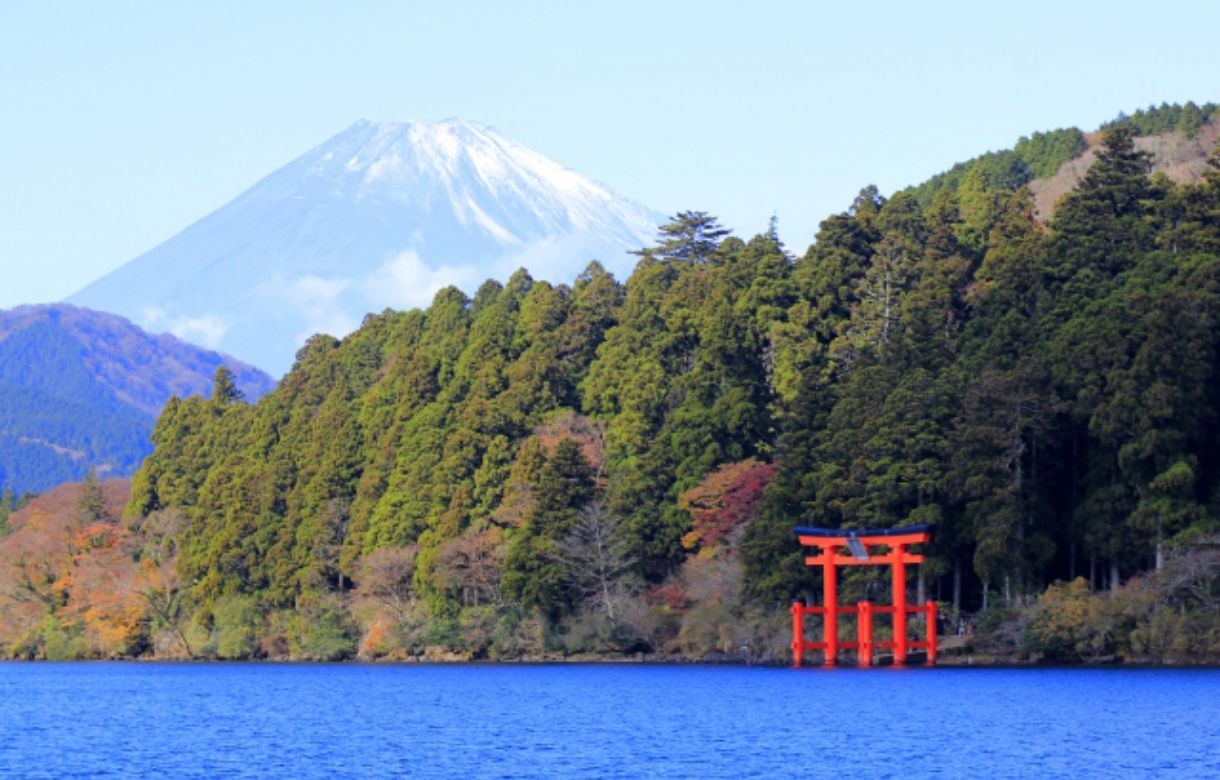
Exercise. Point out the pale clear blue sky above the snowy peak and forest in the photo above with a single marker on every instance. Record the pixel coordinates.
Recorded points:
(124, 123)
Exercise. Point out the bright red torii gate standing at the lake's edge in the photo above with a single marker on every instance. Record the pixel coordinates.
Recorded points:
(833, 541)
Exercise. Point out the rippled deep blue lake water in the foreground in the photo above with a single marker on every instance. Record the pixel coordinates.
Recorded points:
(208, 721)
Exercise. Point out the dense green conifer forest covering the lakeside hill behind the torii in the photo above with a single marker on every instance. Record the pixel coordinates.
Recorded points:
(617, 467)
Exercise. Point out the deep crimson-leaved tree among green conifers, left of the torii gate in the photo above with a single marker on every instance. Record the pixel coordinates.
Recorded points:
(725, 502)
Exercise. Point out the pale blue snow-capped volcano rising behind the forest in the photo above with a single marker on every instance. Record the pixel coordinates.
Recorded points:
(381, 215)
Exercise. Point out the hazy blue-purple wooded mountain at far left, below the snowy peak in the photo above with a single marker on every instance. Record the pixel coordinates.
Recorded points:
(81, 389)
